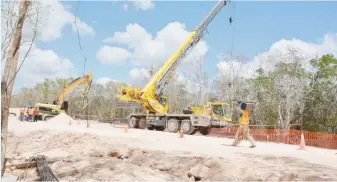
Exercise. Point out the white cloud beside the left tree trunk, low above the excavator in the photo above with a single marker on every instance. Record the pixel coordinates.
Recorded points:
(41, 64)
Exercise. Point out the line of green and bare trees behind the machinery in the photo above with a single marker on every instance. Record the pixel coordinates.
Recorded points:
(290, 94)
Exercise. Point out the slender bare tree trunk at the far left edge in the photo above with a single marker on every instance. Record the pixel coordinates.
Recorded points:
(10, 69)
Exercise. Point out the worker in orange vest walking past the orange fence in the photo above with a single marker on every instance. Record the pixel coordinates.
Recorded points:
(244, 125)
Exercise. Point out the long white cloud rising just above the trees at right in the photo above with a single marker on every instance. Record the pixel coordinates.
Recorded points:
(278, 52)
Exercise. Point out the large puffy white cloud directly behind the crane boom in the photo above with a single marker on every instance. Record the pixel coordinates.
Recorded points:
(147, 49)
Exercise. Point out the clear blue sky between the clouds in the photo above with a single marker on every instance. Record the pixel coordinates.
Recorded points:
(257, 25)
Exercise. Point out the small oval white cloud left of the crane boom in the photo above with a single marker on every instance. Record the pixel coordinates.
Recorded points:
(112, 55)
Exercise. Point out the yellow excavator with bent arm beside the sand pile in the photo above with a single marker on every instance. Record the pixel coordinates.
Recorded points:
(48, 111)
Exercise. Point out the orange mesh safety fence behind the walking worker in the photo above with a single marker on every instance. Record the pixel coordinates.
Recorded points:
(291, 136)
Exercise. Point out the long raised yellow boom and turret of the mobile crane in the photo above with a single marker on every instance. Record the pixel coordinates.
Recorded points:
(151, 96)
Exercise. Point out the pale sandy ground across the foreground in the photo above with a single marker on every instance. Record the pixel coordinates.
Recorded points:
(104, 152)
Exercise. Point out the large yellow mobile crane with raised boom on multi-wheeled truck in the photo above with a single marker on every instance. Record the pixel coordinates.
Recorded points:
(151, 96)
